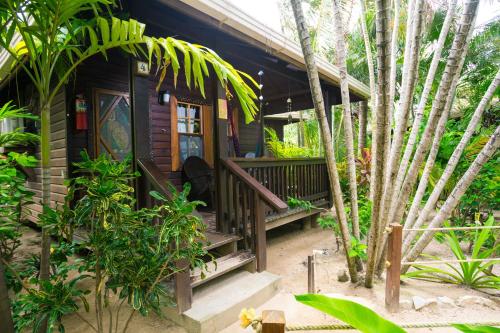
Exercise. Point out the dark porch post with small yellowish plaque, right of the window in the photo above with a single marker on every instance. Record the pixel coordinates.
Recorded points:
(221, 152)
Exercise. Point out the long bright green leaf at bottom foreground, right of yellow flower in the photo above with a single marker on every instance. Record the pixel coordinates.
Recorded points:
(352, 313)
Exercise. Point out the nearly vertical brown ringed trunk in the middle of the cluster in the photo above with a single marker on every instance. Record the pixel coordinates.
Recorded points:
(380, 131)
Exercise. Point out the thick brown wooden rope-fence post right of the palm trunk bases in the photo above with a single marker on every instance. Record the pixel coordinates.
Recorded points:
(392, 281)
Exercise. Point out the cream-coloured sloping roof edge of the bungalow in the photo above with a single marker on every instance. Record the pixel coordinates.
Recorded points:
(248, 28)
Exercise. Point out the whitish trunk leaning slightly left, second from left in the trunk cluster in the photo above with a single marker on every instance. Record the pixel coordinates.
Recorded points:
(340, 52)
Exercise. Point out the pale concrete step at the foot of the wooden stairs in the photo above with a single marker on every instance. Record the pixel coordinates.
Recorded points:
(216, 304)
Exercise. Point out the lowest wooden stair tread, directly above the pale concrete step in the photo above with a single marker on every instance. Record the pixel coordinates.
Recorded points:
(221, 266)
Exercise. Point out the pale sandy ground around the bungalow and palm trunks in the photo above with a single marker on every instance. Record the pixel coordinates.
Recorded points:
(289, 247)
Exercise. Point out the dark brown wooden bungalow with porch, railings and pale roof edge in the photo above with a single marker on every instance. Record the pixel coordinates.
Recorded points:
(125, 114)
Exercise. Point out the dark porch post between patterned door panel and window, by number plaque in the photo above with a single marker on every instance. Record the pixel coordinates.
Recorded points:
(139, 102)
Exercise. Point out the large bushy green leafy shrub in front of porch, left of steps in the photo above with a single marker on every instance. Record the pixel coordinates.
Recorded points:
(131, 254)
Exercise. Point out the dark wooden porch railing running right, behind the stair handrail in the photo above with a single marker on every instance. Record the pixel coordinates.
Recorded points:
(301, 178)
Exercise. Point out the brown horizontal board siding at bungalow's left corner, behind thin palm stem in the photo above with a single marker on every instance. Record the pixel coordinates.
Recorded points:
(58, 161)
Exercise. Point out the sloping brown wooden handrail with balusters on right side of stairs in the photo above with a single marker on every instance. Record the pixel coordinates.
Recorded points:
(245, 201)
